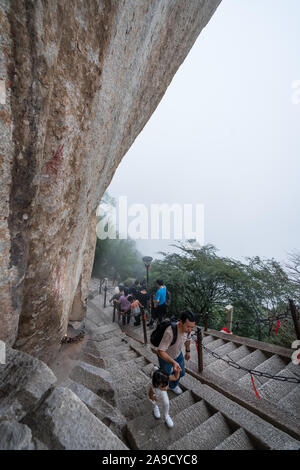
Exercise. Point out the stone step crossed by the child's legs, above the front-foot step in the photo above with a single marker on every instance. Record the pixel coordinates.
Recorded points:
(140, 428)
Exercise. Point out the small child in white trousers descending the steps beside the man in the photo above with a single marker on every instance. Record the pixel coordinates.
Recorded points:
(158, 393)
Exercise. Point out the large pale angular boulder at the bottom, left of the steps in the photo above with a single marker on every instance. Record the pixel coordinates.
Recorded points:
(63, 421)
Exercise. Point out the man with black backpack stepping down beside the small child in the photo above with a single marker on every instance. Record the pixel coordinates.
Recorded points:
(169, 338)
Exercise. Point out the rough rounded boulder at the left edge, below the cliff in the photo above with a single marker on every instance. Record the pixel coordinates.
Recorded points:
(23, 382)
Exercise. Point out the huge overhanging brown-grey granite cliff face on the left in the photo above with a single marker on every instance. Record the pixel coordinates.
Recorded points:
(78, 82)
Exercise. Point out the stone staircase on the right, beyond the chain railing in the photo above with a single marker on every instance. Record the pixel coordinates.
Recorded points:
(279, 401)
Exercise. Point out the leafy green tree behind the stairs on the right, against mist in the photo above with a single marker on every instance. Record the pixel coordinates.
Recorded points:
(202, 281)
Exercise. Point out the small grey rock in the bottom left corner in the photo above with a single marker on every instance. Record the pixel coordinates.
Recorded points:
(15, 436)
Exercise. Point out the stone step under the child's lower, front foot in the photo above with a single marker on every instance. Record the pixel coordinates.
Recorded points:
(184, 422)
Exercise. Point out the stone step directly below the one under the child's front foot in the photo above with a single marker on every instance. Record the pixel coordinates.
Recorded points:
(207, 436)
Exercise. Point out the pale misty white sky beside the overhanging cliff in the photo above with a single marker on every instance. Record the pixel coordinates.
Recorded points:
(226, 134)
